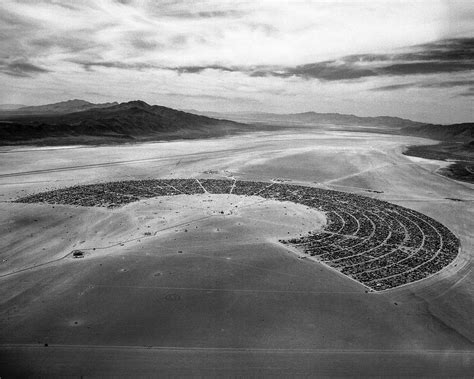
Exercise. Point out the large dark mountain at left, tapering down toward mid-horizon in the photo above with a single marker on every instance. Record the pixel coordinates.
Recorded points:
(104, 123)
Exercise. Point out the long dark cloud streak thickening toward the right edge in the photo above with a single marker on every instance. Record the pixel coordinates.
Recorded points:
(450, 56)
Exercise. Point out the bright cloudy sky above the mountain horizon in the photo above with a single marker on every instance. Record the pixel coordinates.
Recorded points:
(411, 59)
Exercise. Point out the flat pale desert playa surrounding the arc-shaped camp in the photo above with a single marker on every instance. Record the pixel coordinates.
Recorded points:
(173, 285)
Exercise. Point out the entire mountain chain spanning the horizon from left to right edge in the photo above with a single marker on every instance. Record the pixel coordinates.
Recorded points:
(78, 121)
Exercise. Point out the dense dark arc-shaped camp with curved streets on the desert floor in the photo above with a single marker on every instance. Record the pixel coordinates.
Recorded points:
(379, 244)
